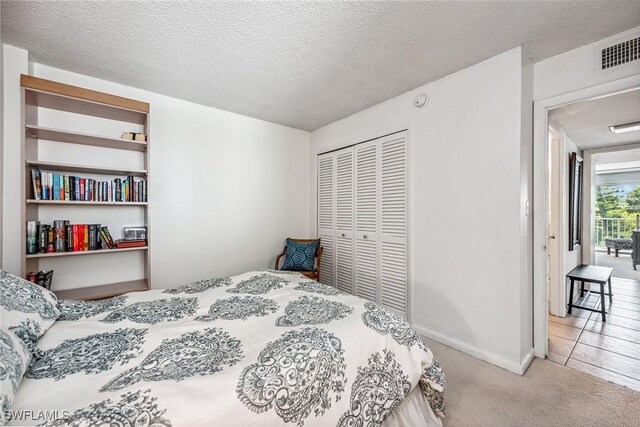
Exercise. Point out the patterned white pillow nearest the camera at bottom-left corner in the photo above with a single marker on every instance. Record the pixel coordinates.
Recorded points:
(14, 360)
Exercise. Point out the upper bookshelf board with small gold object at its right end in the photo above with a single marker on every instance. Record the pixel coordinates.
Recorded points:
(73, 137)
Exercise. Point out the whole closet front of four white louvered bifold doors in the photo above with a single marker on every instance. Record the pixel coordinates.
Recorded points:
(362, 220)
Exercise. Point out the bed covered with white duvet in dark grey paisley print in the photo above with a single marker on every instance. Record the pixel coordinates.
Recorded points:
(261, 348)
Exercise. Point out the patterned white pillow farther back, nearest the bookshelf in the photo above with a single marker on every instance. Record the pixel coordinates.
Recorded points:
(28, 310)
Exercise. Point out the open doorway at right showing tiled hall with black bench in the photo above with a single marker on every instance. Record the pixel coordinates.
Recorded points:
(583, 340)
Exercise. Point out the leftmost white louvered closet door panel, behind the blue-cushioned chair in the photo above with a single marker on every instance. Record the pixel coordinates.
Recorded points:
(326, 216)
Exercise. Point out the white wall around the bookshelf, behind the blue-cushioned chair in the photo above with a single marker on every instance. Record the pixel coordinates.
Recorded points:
(225, 189)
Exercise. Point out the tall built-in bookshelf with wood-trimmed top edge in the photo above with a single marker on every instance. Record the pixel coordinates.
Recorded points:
(40, 93)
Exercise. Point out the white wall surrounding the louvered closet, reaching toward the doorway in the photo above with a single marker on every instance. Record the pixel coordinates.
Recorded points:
(468, 177)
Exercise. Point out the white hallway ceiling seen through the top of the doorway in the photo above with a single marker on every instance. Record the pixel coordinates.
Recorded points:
(587, 122)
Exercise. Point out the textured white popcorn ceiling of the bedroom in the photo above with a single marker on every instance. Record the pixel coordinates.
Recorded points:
(301, 64)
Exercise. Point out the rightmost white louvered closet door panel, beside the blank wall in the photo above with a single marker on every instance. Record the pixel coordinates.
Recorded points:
(393, 237)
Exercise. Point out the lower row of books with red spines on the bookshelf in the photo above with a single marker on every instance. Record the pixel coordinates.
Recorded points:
(61, 236)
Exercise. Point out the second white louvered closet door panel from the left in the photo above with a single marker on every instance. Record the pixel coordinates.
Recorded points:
(344, 220)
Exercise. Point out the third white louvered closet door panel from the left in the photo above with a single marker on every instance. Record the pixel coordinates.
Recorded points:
(366, 220)
